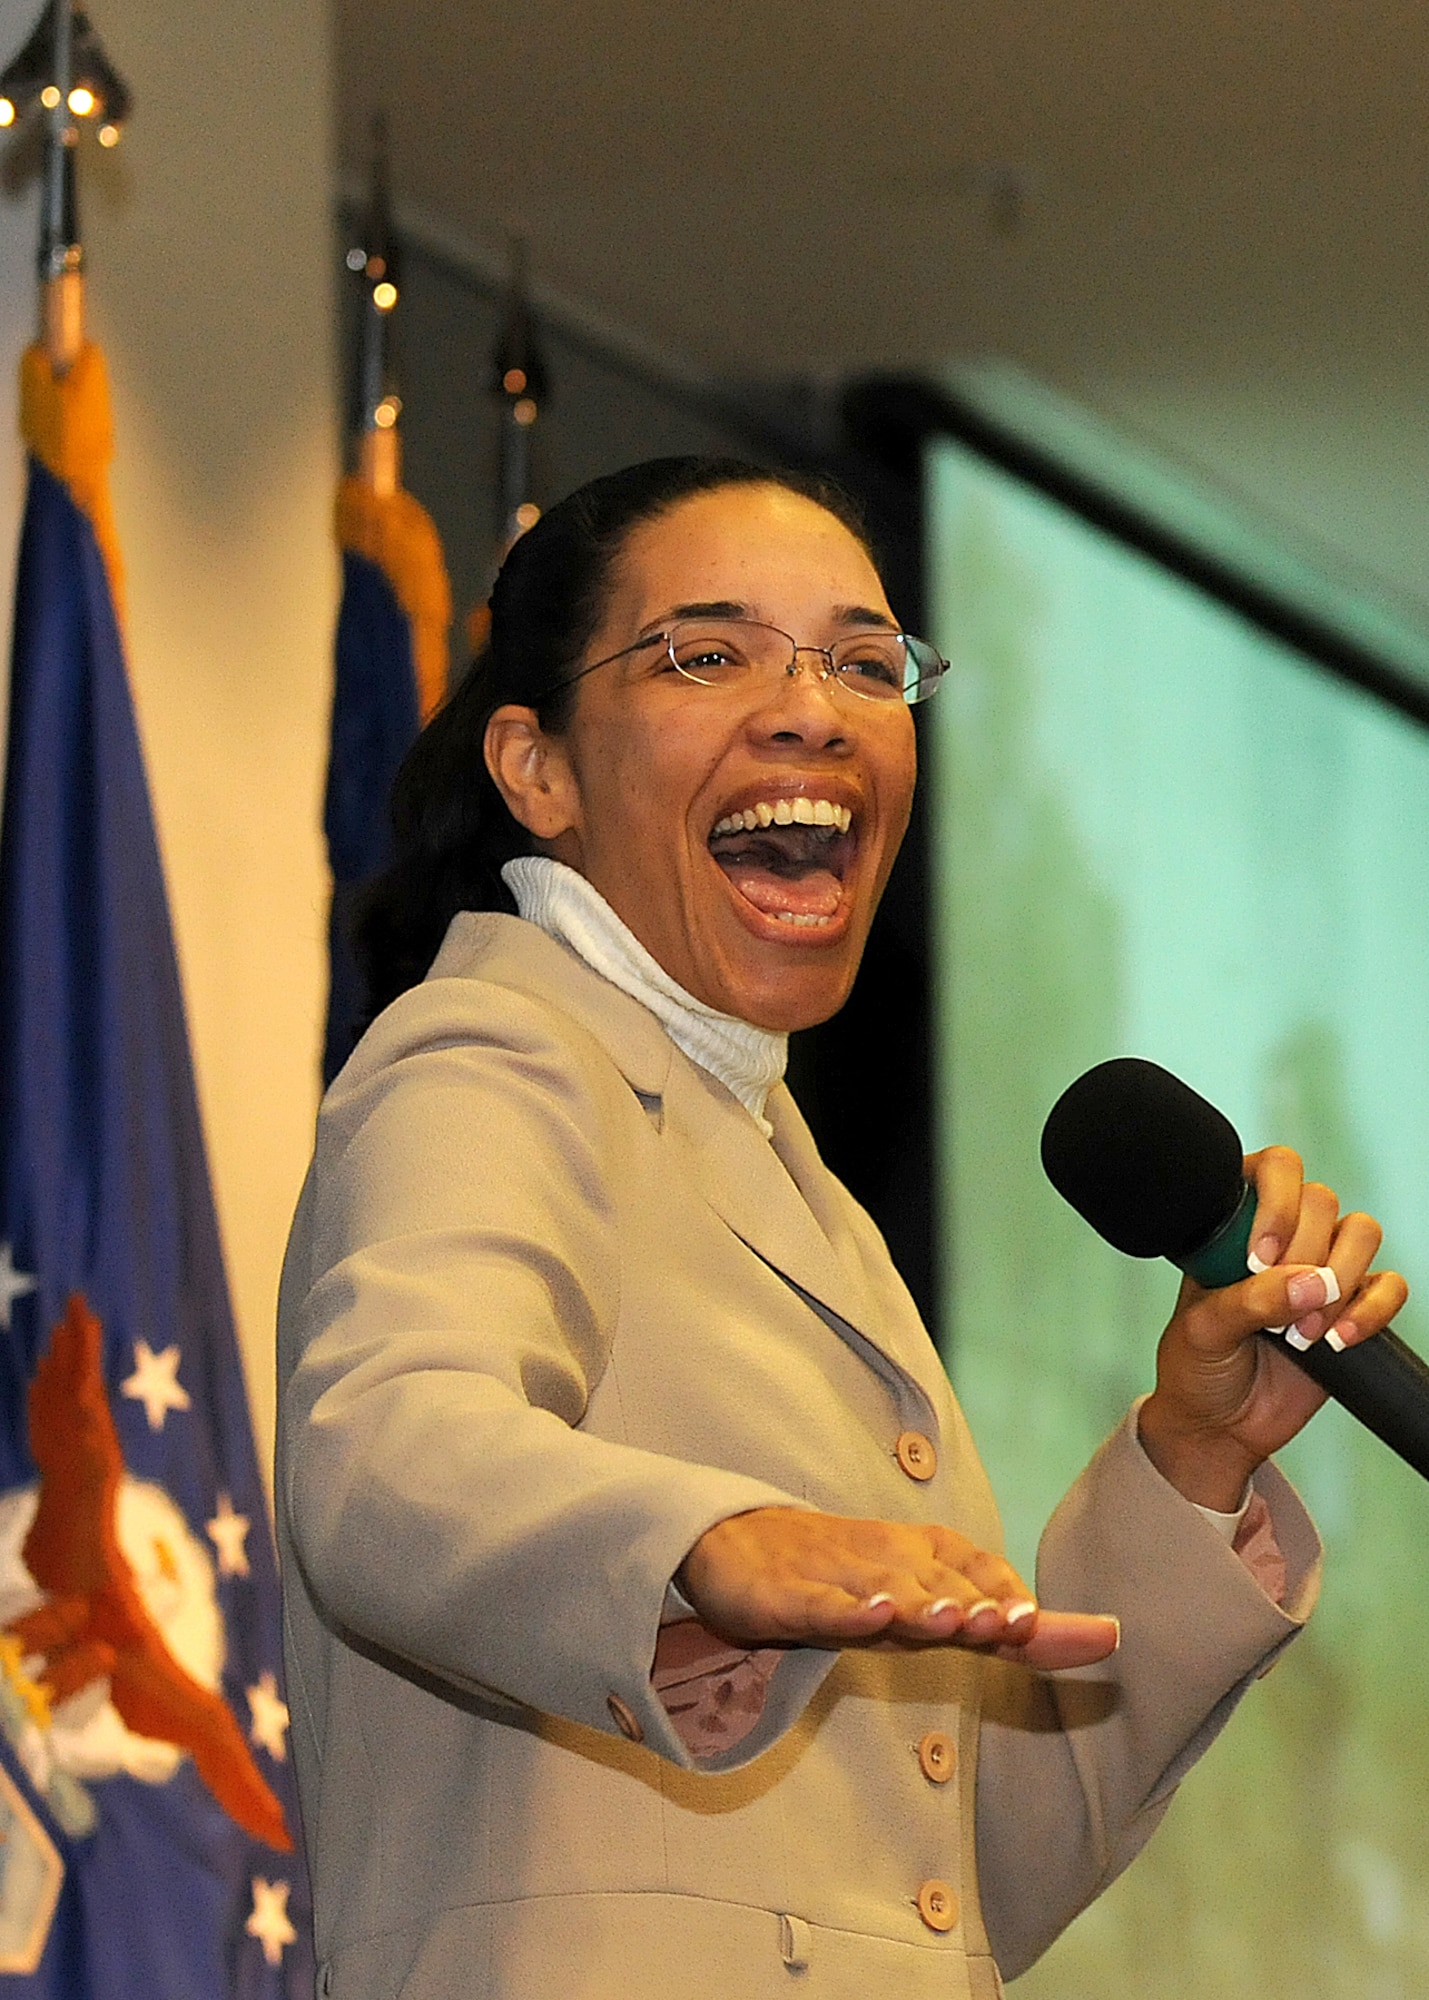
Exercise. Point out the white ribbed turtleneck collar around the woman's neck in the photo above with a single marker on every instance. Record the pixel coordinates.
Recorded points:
(746, 1059)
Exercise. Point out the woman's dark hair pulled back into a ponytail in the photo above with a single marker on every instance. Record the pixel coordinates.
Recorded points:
(451, 827)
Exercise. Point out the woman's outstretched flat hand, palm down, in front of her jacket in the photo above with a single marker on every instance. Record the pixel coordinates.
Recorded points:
(786, 1577)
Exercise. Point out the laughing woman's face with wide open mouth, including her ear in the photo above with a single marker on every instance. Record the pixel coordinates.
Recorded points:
(770, 923)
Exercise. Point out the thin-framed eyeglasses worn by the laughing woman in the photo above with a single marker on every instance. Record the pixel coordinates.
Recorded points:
(738, 653)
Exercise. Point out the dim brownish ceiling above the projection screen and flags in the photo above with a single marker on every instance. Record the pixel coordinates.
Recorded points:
(1170, 209)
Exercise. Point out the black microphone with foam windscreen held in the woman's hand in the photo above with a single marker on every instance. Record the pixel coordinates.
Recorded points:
(1160, 1173)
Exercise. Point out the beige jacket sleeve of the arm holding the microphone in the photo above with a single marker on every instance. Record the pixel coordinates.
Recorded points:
(1078, 1769)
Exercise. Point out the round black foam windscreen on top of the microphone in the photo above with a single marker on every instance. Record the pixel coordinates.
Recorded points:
(1150, 1163)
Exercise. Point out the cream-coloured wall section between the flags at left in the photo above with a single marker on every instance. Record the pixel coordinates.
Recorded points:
(209, 279)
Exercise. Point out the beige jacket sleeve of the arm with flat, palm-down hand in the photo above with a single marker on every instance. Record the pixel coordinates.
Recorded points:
(449, 1307)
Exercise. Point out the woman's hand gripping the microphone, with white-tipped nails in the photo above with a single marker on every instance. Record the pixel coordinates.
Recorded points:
(1224, 1399)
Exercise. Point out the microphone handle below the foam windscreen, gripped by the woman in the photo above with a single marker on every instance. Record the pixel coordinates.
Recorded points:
(1384, 1383)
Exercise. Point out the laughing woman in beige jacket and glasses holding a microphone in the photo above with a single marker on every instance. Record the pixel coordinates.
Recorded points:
(647, 1625)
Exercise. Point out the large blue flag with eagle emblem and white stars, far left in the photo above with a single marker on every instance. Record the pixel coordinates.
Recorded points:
(147, 1799)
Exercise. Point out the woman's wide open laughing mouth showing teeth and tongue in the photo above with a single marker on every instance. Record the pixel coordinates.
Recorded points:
(790, 857)
